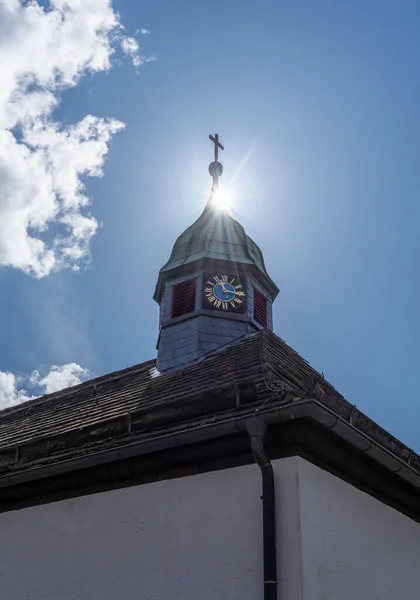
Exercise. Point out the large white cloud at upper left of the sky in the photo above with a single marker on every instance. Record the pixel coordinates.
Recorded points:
(44, 221)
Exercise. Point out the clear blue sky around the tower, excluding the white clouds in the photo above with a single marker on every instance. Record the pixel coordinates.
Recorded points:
(317, 104)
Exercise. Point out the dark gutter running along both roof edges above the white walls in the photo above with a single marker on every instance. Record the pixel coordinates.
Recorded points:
(300, 409)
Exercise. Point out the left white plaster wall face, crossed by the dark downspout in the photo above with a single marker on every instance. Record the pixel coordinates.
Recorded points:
(198, 537)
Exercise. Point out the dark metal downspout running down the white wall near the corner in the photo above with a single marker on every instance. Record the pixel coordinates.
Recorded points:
(256, 431)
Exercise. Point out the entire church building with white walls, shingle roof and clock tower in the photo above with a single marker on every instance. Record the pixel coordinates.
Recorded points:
(224, 468)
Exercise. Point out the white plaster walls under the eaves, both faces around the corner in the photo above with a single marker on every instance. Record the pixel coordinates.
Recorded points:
(199, 538)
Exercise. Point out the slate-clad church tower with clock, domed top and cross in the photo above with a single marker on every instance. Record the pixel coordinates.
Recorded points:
(214, 289)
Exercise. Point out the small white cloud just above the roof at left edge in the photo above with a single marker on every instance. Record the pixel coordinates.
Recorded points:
(14, 390)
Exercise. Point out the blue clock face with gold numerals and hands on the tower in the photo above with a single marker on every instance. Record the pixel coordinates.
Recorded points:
(224, 292)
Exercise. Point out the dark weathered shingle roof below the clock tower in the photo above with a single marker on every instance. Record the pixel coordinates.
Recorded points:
(260, 368)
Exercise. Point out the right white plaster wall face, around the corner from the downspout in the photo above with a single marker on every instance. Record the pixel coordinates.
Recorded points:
(352, 545)
